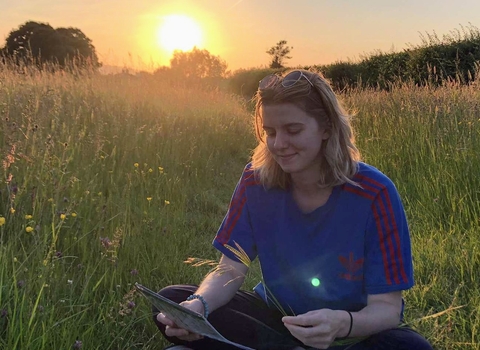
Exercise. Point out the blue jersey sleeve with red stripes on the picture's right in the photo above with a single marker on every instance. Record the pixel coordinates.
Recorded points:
(388, 256)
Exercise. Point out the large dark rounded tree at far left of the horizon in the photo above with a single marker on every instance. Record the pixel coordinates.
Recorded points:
(40, 43)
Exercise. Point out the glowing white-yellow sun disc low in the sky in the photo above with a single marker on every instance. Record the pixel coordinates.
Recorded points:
(179, 32)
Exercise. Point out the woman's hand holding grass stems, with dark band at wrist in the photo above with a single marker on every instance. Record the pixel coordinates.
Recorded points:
(318, 328)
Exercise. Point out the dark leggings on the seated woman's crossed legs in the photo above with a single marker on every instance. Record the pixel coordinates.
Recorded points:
(247, 320)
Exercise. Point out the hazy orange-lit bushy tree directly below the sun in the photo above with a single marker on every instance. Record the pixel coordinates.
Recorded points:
(198, 64)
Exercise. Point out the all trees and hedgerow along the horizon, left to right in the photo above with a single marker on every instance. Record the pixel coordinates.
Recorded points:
(452, 57)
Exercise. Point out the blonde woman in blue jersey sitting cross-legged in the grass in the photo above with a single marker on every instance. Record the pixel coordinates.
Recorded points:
(329, 231)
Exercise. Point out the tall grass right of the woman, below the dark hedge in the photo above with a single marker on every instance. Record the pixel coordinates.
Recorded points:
(427, 140)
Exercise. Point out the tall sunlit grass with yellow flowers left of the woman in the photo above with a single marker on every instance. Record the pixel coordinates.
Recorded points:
(116, 180)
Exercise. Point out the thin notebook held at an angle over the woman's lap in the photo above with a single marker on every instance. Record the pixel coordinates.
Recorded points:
(185, 318)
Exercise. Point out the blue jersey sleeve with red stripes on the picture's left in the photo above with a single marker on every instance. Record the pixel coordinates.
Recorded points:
(236, 229)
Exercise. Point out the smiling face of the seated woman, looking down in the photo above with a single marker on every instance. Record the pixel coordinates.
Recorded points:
(294, 138)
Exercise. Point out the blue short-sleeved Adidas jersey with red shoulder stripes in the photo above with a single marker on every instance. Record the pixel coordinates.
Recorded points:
(356, 244)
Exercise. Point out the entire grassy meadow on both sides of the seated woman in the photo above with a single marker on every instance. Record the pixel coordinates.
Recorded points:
(108, 181)
